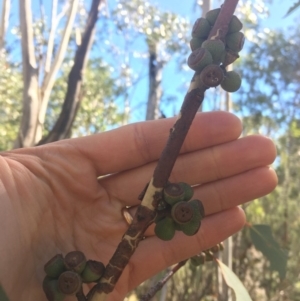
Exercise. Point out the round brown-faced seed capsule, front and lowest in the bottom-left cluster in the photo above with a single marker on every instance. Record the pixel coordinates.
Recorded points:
(69, 283)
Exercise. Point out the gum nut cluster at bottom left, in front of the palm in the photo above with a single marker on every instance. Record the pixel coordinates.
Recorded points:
(65, 275)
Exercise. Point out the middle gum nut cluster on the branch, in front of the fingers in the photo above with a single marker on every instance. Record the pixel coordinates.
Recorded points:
(182, 214)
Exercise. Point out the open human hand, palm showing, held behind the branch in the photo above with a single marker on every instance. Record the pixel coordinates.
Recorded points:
(53, 201)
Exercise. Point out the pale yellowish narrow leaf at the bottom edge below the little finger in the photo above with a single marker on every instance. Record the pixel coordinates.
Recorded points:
(234, 283)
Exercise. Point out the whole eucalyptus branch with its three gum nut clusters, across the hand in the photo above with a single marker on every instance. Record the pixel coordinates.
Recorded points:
(216, 41)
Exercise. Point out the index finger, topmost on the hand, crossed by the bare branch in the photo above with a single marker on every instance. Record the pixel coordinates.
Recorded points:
(137, 144)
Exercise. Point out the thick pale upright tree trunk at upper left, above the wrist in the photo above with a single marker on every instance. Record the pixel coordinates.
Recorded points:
(26, 136)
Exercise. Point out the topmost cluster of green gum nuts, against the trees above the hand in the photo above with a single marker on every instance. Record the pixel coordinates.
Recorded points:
(214, 51)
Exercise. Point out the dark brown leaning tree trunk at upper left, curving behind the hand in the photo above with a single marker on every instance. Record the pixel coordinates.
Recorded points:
(62, 127)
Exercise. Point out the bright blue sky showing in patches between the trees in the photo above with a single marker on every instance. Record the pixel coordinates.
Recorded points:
(174, 82)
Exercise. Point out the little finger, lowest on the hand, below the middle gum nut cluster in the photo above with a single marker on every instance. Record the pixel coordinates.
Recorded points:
(154, 255)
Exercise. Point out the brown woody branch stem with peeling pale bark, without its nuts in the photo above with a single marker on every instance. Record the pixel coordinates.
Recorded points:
(146, 212)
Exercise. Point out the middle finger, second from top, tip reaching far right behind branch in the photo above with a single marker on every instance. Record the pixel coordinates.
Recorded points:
(202, 166)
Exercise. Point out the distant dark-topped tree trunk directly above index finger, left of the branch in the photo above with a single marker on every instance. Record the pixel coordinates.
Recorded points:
(155, 75)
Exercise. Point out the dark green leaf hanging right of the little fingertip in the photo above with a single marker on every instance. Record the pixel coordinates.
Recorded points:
(263, 240)
